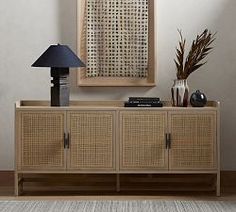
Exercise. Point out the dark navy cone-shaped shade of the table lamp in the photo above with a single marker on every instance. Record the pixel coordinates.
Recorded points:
(58, 56)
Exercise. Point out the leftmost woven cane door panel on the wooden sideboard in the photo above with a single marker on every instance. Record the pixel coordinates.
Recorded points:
(42, 140)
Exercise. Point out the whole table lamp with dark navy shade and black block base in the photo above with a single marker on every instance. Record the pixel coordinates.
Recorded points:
(59, 58)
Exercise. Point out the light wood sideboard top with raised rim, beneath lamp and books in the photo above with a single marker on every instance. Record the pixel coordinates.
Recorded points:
(113, 105)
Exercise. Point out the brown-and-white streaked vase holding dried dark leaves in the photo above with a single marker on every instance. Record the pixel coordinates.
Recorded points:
(180, 92)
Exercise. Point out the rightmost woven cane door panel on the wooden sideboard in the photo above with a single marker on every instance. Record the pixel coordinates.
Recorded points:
(193, 139)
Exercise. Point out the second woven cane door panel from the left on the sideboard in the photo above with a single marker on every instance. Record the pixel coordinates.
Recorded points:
(92, 142)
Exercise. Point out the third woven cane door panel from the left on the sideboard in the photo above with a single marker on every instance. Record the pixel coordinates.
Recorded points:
(143, 140)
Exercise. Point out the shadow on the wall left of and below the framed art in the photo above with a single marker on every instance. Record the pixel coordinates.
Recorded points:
(67, 22)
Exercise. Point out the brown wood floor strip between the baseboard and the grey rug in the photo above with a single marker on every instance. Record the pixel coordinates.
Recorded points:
(228, 194)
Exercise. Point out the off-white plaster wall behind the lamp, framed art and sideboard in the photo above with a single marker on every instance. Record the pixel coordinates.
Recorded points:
(28, 27)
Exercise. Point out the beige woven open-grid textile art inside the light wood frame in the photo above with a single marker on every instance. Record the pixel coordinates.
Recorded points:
(117, 38)
